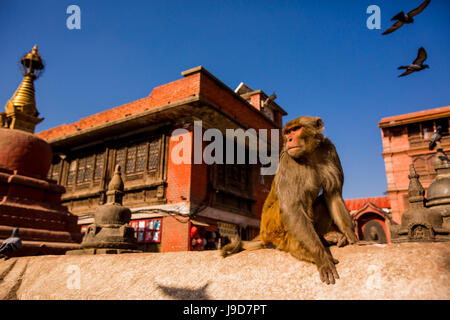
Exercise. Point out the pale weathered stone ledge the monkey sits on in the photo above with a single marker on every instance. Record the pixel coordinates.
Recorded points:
(396, 271)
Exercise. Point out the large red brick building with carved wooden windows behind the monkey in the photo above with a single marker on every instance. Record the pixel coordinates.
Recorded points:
(174, 205)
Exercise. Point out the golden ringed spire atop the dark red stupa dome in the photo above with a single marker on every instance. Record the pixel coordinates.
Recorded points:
(21, 112)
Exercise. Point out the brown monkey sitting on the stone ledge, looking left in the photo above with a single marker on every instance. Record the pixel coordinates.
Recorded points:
(304, 210)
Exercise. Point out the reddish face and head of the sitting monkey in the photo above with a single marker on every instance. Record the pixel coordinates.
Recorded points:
(302, 136)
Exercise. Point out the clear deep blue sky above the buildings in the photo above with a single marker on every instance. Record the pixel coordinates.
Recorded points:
(318, 56)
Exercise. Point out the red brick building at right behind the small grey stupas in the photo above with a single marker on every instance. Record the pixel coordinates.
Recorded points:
(405, 140)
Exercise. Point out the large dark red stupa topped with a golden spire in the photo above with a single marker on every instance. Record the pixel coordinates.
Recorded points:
(28, 200)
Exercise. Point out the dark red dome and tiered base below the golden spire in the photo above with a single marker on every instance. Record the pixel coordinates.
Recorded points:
(31, 202)
